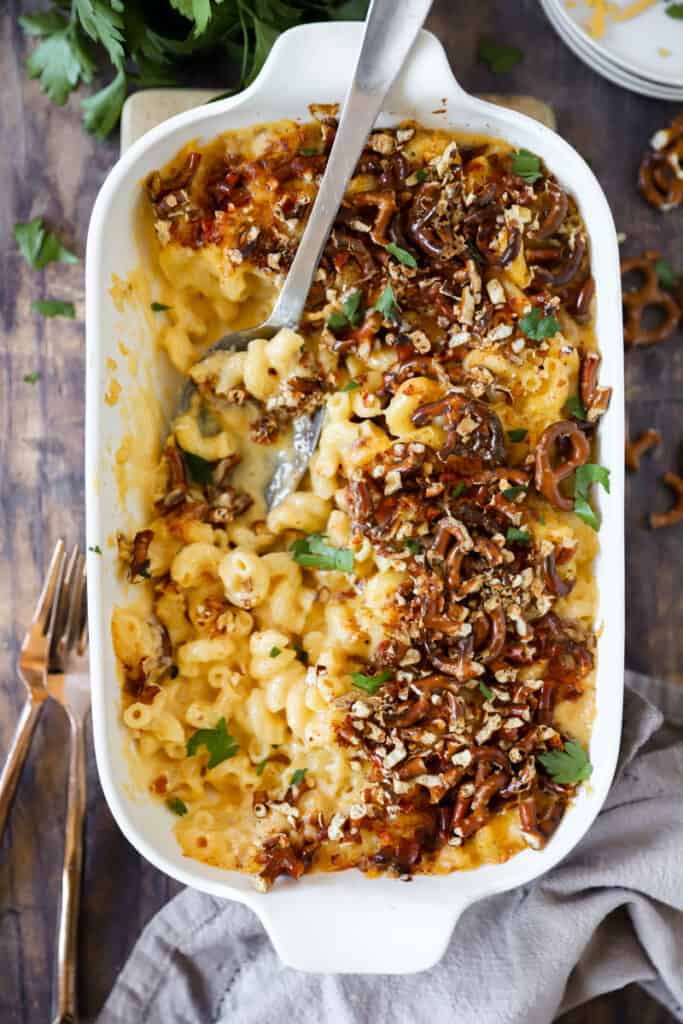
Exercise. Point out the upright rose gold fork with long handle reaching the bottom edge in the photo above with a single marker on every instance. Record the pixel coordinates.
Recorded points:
(68, 682)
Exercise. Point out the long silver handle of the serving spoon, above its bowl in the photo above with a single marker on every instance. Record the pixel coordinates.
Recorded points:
(392, 28)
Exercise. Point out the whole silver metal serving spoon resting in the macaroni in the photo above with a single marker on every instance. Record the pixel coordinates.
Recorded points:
(392, 28)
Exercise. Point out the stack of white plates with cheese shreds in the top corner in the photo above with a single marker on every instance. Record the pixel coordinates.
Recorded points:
(645, 55)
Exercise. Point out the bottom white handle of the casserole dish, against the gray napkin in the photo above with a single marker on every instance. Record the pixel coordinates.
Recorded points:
(351, 938)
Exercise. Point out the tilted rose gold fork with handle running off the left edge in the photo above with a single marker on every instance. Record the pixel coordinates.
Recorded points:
(32, 669)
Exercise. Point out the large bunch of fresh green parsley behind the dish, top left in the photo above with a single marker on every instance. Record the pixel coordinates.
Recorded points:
(146, 44)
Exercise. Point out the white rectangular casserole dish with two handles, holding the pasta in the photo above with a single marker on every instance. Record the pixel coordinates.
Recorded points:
(344, 922)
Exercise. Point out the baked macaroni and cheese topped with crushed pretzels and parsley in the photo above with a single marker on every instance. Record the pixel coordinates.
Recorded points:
(394, 668)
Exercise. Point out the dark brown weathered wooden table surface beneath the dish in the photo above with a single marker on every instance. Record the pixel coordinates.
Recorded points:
(52, 167)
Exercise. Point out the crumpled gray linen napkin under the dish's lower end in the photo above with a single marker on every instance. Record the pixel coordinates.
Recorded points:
(611, 914)
